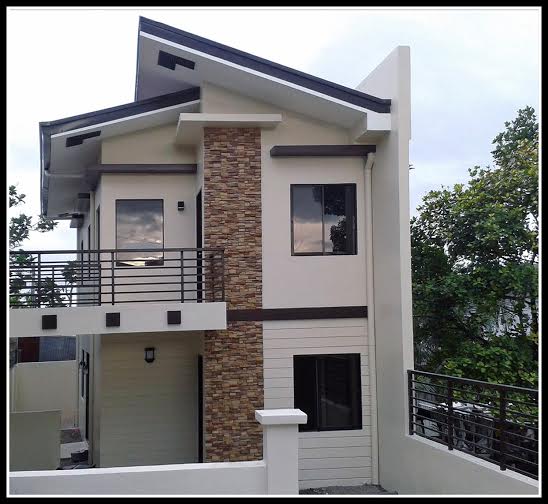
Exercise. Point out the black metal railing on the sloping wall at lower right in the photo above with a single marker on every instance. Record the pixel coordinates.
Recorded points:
(497, 423)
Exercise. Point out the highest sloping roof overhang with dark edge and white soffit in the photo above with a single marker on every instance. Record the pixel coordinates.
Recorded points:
(169, 59)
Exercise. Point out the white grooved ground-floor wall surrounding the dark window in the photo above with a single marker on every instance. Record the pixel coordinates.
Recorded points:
(331, 457)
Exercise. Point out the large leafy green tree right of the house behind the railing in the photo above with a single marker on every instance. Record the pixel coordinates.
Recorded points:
(475, 266)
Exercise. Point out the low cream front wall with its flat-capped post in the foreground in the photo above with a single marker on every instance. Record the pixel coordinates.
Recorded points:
(276, 474)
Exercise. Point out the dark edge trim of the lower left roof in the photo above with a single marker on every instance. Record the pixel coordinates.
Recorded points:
(97, 117)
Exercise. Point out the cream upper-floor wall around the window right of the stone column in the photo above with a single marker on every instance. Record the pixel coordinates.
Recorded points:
(292, 281)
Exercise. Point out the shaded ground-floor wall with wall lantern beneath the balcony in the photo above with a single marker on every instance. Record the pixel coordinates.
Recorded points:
(149, 412)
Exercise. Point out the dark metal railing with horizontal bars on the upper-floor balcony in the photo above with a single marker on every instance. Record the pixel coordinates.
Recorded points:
(114, 276)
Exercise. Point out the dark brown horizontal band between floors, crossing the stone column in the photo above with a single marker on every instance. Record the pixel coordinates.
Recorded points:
(327, 312)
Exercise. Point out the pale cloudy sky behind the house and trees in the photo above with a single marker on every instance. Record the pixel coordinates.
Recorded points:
(471, 70)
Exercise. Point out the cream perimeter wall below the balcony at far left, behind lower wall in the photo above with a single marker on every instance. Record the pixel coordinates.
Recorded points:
(44, 386)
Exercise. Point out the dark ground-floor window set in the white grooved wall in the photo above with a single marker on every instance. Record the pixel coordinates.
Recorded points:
(328, 389)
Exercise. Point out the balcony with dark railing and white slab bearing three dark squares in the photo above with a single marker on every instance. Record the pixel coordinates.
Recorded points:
(80, 287)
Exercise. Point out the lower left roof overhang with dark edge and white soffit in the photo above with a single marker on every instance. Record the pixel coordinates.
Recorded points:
(69, 146)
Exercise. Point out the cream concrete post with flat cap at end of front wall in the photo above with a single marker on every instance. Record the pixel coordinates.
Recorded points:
(281, 449)
